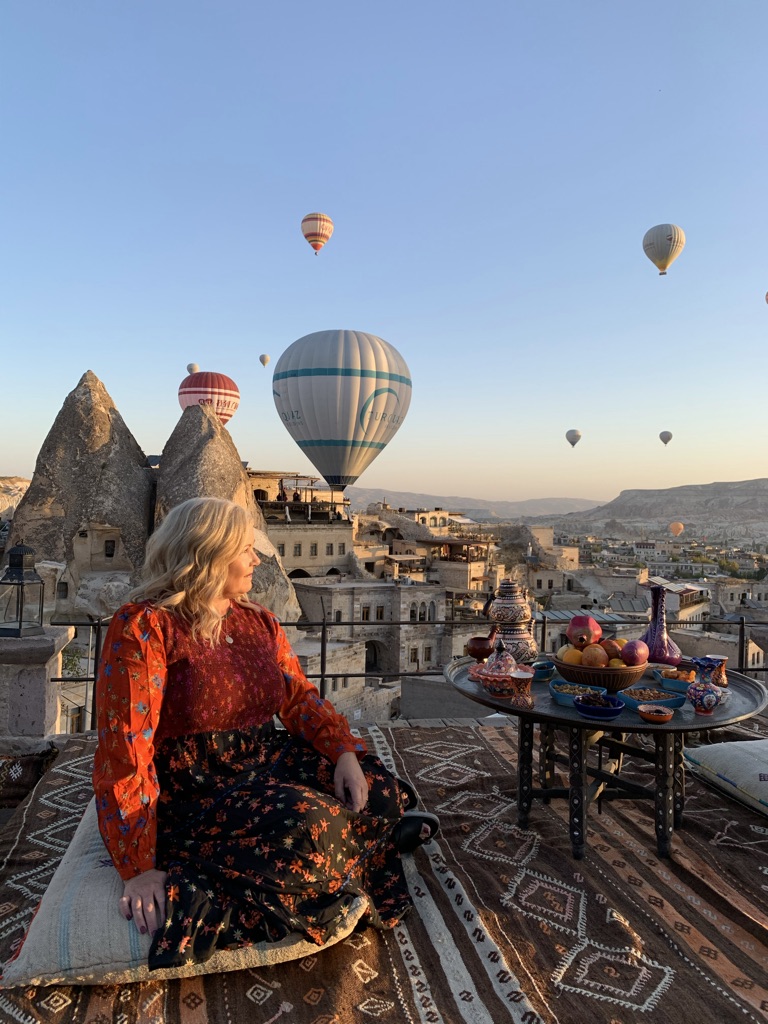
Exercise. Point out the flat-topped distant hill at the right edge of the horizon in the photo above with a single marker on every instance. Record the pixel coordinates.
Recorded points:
(730, 511)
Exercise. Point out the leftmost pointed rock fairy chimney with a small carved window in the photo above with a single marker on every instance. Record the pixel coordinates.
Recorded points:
(90, 503)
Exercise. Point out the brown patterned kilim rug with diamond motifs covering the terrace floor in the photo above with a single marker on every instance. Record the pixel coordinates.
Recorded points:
(506, 925)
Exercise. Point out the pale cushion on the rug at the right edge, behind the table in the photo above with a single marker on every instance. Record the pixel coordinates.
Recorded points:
(740, 770)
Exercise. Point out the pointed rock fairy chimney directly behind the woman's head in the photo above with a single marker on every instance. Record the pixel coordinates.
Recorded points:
(200, 460)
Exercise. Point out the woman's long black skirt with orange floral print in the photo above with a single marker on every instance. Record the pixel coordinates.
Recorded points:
(257, 845)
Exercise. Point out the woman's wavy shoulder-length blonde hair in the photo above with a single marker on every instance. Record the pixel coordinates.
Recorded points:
(188, 562)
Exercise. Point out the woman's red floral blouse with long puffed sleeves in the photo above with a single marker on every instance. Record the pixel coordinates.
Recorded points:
(156, 682)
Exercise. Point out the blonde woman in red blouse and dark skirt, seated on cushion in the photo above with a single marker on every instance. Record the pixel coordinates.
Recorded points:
(225, 831)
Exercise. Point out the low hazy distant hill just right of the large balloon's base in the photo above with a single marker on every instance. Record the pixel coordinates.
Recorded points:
(476, 508)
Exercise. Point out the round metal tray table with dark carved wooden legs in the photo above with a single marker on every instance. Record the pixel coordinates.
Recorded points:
(588, 783)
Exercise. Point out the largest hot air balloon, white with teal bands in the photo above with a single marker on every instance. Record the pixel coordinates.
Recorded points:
(343, 396)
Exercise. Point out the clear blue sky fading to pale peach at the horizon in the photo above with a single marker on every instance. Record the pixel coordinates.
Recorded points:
(491, 170)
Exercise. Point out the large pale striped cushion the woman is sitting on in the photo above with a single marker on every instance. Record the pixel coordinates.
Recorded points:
(78, 936)
